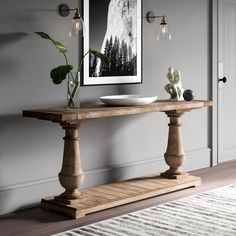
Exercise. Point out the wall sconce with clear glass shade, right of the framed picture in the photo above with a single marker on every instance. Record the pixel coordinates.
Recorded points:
(163, 32)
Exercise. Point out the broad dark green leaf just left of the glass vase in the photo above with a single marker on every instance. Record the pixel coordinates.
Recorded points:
(59, 73)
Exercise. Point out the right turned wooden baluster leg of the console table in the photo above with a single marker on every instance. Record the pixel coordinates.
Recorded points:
(174, 155)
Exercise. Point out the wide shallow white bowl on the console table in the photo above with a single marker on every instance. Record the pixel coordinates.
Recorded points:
(128, 100)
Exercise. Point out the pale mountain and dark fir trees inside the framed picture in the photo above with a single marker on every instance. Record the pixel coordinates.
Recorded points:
(119, 43)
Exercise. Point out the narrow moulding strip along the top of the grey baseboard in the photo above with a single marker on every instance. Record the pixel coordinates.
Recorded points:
(144, 162)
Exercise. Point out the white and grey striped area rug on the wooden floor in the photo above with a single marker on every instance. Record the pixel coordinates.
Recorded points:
(211, 213)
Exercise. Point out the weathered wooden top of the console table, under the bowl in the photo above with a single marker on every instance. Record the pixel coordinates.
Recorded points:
(61, 115)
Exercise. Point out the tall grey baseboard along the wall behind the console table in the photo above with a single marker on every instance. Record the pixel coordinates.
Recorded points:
(24, 195)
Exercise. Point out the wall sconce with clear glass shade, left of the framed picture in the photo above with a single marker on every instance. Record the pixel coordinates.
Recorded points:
(77, 27)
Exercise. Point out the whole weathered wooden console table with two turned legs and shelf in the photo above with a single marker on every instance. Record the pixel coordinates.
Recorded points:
(77, 203)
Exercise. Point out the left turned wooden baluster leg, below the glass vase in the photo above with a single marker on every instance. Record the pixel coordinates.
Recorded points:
(71, 175)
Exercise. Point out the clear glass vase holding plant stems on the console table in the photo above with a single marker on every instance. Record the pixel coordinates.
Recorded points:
(73, 87)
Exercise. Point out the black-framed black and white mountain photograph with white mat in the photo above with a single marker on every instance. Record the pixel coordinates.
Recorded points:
(113, 27)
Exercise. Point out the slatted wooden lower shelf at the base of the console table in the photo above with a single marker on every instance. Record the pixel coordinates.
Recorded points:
(116, 194)
